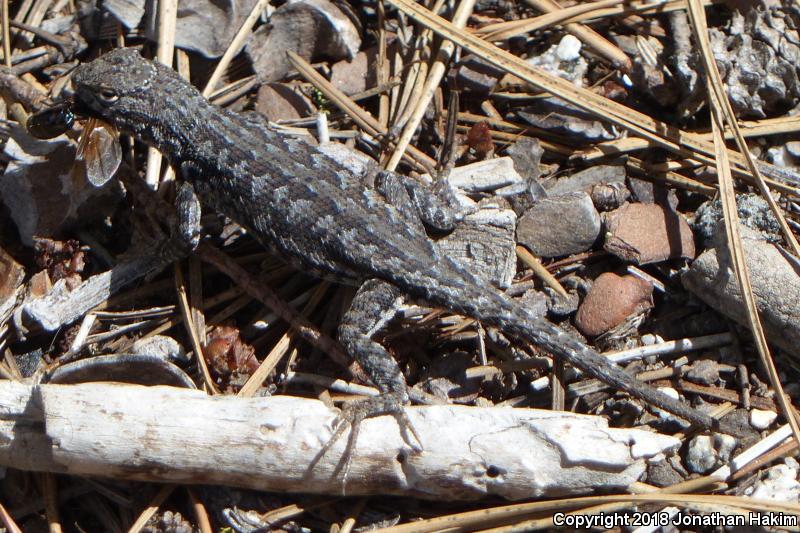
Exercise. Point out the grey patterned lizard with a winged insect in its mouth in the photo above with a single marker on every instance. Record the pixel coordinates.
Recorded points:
(323, 219)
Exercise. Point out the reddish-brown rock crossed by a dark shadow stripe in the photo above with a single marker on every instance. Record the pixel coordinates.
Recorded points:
(648, 233)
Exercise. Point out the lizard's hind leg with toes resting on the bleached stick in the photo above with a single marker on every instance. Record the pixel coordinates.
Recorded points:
(374, 305)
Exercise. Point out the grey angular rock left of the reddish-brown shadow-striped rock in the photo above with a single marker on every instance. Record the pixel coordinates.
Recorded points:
(560, 225)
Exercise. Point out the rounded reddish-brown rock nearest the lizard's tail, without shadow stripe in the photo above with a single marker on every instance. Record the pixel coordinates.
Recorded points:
(610, 301)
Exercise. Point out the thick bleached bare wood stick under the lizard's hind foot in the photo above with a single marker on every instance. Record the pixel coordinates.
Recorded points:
(143, 433)
